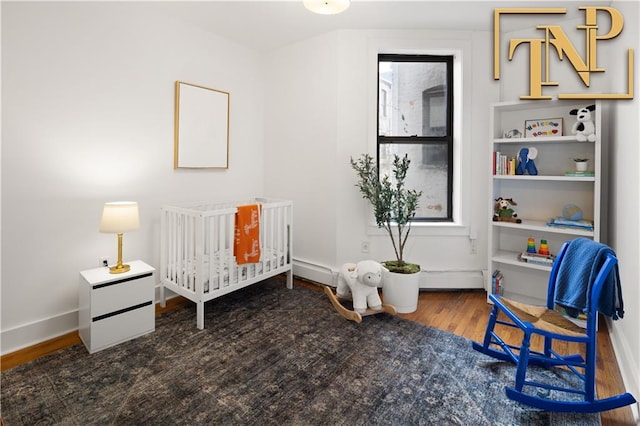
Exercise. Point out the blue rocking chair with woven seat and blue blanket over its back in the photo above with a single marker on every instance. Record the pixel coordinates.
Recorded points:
(584, 278)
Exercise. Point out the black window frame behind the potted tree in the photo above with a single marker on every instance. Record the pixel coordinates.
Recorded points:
(425, 141)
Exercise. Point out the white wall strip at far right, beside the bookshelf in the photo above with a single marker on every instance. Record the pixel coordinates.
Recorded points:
(624, 190)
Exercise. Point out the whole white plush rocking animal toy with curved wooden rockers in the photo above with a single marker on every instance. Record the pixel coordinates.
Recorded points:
(359, 282)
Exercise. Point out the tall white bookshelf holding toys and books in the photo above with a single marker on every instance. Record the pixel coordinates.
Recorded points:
(544, 195)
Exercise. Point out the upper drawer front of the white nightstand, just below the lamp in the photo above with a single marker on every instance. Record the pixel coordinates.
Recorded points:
(110, 297)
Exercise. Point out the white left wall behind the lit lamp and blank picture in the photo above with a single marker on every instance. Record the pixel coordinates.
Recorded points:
(87, 112)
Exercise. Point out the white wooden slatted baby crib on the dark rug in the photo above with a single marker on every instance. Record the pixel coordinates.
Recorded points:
(196, 254)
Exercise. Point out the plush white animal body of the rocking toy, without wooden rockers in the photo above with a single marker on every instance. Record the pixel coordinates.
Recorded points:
(361, 280)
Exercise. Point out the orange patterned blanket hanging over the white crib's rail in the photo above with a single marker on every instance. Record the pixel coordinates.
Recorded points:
(246, 246)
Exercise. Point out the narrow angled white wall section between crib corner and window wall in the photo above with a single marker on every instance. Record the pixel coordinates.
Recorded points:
(300, 130)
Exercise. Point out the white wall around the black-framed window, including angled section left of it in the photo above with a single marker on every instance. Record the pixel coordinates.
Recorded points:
(331, 219)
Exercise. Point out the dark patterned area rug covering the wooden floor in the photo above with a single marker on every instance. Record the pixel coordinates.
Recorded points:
(272, 356)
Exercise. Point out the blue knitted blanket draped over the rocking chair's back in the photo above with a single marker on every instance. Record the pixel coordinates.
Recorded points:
(577, 274)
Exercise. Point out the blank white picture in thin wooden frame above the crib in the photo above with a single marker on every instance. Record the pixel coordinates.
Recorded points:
(201, 138)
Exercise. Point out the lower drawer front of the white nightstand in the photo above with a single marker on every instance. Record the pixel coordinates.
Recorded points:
(118, 328)
